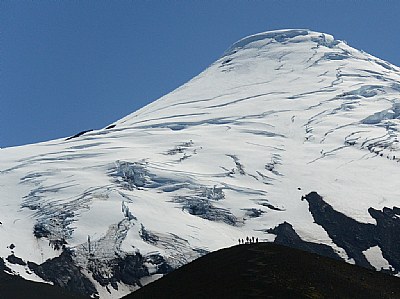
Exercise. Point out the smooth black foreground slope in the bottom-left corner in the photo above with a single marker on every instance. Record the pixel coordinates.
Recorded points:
(15, 287)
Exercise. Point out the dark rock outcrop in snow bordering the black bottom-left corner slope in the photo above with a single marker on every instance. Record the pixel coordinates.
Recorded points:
(64, 273)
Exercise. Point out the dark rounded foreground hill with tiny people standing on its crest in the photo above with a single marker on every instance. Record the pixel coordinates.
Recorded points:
(267, 270)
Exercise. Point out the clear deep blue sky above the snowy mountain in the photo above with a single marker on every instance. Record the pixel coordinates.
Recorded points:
(68, 66)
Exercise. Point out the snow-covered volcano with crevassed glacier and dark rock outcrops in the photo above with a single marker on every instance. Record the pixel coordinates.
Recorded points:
(290, 136)
